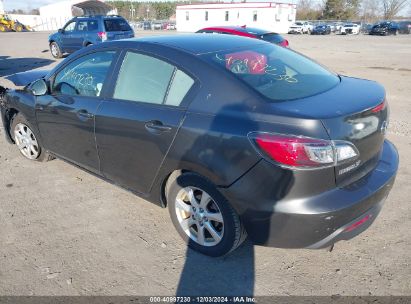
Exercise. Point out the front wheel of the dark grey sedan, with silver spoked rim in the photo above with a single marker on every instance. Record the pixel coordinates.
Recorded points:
(26, 140)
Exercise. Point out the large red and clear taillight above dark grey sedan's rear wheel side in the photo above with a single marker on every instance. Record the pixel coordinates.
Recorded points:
(303, 152)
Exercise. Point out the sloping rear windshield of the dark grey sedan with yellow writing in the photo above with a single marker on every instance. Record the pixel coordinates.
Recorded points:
(277, 73)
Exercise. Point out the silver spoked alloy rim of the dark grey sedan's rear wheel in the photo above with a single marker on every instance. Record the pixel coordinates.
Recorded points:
(199, 216)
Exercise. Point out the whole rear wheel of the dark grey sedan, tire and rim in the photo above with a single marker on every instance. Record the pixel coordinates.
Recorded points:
(203, 217)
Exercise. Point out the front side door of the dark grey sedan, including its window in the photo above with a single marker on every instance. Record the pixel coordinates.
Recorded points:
(65, 117)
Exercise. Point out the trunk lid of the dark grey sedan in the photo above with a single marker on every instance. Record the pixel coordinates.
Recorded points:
(351, 112)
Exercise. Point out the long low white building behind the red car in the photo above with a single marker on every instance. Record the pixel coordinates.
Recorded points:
(272, 16)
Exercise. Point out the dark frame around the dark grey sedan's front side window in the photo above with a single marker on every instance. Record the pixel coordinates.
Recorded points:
(103, 93)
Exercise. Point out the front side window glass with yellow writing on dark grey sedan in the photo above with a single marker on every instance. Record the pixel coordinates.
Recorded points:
(84, 76)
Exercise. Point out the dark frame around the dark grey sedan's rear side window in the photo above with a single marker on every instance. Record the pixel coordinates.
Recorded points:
(190, 95)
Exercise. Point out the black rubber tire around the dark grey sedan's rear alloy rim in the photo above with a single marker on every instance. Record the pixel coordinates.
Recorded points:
(234, 232)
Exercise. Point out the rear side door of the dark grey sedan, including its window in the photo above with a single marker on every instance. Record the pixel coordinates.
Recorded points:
(135, 128)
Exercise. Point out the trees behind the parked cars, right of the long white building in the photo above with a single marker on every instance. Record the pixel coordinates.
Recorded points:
(369, 10)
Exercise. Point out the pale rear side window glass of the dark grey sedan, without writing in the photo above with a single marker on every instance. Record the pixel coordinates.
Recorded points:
(147, 79)
